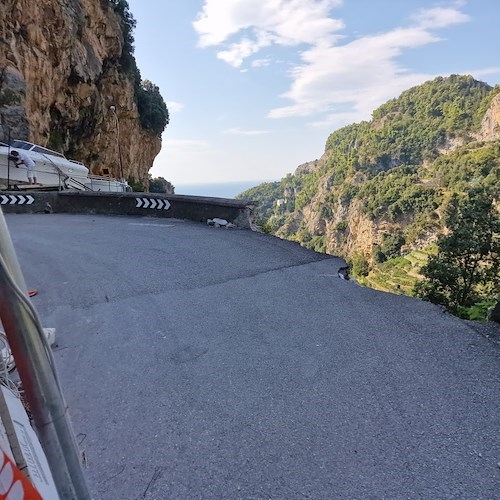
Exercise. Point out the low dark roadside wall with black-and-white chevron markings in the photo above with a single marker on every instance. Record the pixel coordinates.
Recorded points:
(195, 208)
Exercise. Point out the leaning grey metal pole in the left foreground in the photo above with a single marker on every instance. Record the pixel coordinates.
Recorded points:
(37, 371)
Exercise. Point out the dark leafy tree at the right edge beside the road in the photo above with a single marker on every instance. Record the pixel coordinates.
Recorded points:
(466, 268)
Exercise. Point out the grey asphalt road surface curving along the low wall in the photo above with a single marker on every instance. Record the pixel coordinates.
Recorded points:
(204, 363)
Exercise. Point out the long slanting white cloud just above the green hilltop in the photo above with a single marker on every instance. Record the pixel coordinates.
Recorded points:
(359, 75)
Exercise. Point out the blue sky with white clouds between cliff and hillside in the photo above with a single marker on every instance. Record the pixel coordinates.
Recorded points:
(255, 87)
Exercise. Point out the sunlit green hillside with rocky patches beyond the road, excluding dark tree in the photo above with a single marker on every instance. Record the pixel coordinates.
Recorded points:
(379, 194)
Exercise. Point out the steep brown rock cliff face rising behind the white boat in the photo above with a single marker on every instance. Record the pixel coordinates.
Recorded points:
(59, 77)
